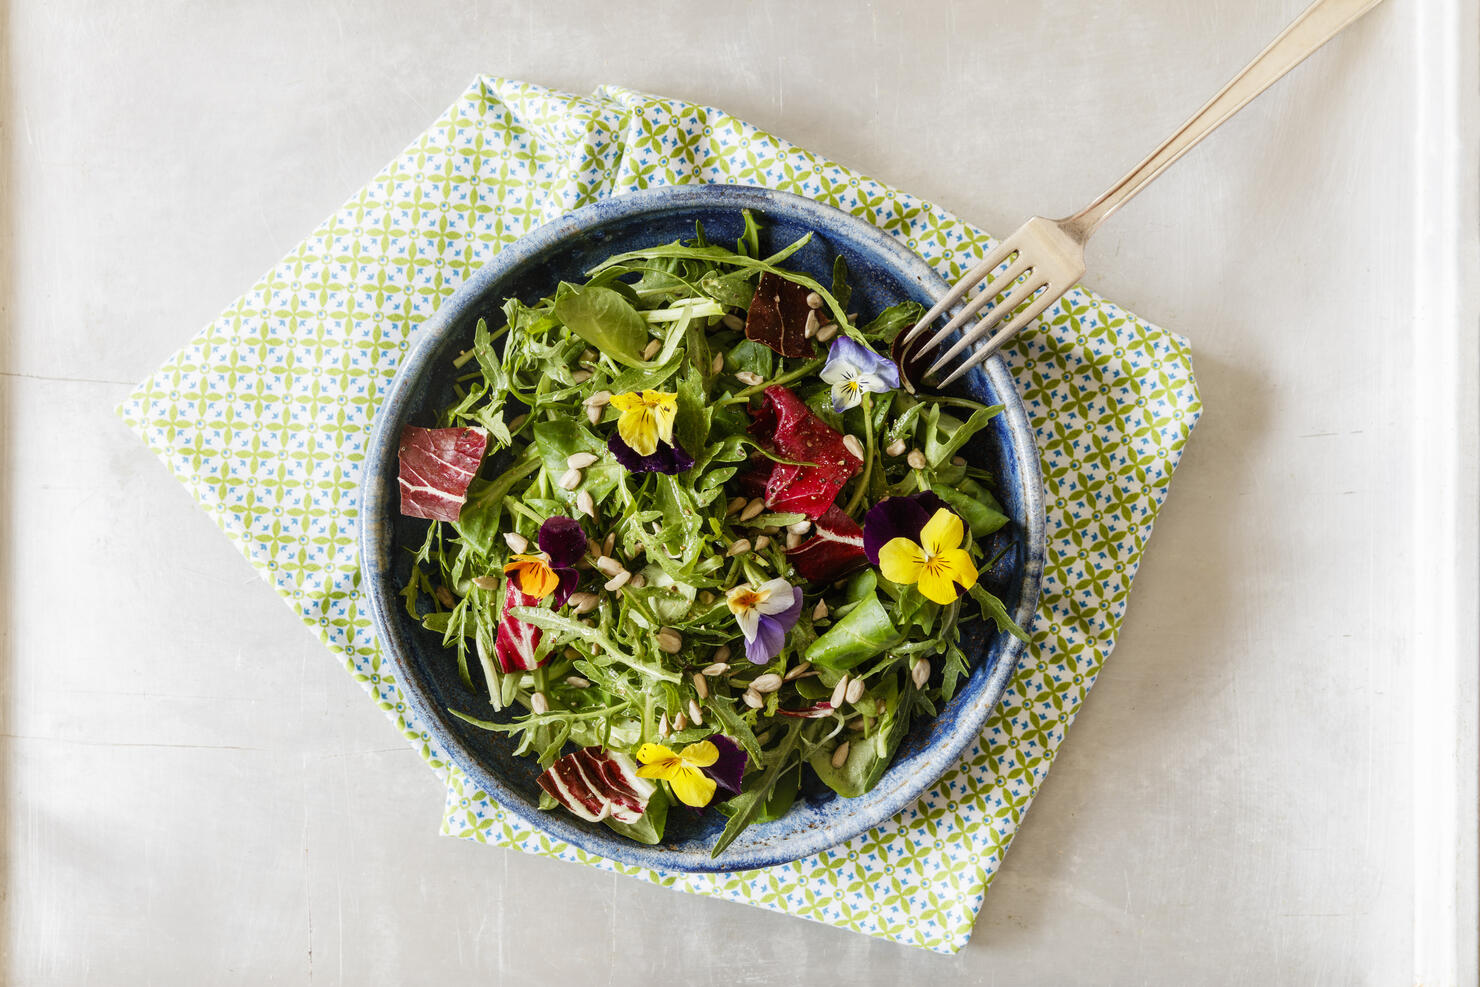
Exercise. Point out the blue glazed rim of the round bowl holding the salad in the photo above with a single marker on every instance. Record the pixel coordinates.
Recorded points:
(377, 519)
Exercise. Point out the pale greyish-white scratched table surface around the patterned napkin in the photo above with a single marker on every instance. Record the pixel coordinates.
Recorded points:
(195, 791)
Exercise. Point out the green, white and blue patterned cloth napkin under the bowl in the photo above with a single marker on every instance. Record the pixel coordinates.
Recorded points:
(264, 414)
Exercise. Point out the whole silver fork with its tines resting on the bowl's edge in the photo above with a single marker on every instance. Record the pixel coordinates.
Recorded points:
(1047, 257)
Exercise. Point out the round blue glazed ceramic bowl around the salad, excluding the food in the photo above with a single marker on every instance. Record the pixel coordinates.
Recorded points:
(883, 273)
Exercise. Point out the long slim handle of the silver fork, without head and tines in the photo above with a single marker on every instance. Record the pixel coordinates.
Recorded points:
(1316, 26)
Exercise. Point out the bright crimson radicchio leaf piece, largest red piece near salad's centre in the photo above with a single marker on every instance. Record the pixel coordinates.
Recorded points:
(795, 433)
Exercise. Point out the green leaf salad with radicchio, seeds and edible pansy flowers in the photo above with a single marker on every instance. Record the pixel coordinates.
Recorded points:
(696, 541)
